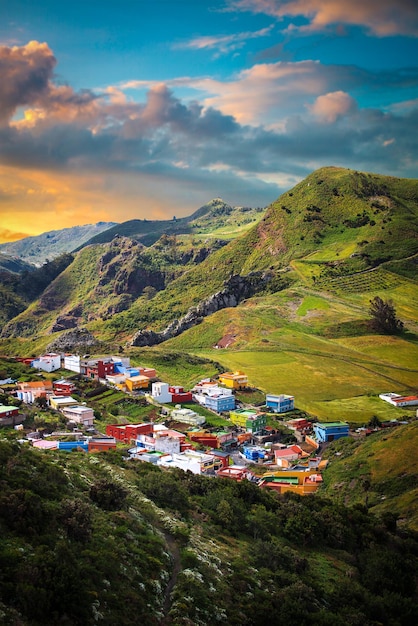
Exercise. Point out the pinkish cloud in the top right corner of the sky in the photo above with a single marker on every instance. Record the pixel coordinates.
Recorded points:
(380, 17)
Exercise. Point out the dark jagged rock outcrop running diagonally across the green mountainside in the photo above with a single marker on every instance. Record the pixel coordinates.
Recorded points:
(236, 289)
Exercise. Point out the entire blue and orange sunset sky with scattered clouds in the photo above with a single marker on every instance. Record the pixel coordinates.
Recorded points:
(111, 111)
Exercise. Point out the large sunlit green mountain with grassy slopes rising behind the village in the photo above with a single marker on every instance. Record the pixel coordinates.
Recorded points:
(293, 291)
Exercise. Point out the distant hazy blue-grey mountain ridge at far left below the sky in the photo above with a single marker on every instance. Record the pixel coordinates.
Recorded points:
(36, 250)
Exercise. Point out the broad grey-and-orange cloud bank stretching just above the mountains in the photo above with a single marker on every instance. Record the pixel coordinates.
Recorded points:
(65, 155)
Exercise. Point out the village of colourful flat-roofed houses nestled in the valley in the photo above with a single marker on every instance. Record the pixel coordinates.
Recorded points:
(251, 447)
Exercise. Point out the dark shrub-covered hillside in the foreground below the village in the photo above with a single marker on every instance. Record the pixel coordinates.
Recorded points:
(89, 539)
